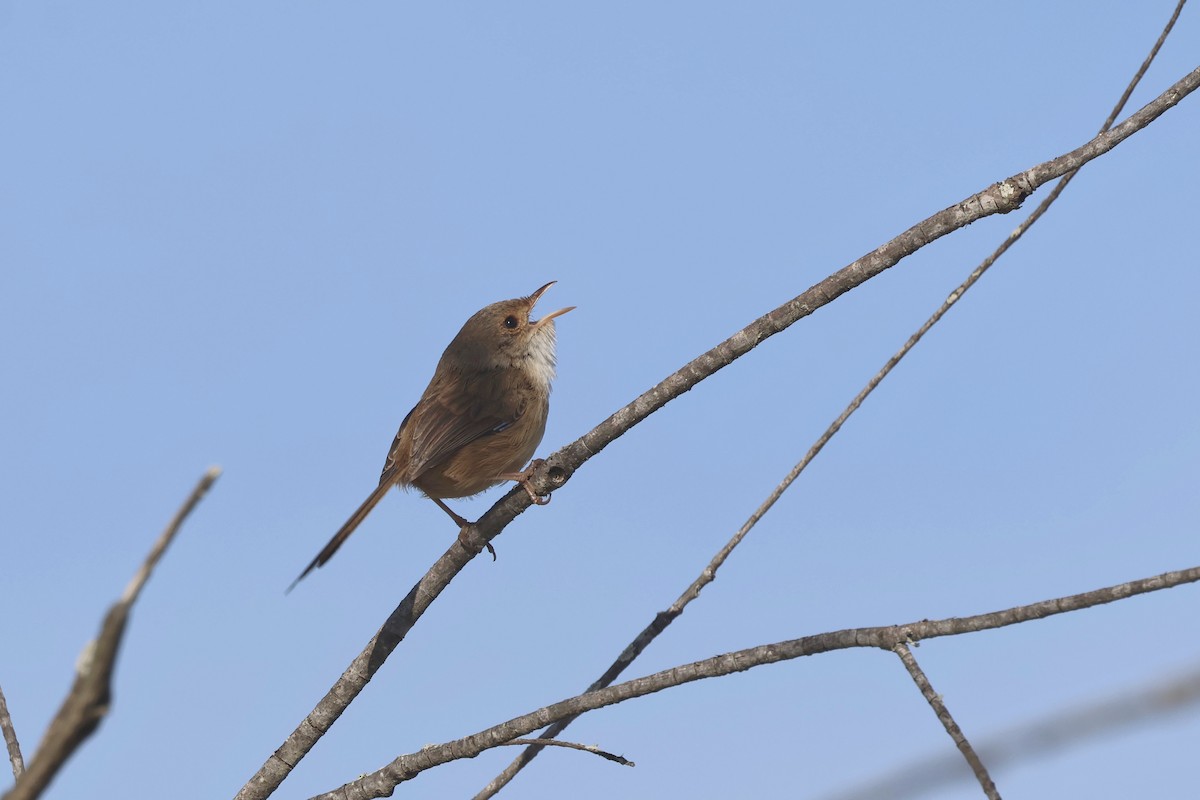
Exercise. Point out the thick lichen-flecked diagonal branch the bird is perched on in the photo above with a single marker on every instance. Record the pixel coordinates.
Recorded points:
(999, 199)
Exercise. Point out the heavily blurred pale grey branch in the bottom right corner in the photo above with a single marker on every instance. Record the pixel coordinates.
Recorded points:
(1040, 738)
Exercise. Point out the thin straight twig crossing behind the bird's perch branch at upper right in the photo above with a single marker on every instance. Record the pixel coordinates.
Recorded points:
(664, 619)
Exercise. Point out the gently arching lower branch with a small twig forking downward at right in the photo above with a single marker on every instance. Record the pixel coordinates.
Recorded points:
(383, 783)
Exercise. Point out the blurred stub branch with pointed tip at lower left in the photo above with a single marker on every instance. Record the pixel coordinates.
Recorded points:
(92, 693)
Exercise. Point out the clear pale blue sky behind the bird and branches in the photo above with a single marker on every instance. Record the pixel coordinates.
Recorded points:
(242, 234)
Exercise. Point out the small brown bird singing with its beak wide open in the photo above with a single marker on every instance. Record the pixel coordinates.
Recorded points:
(481, 419)
